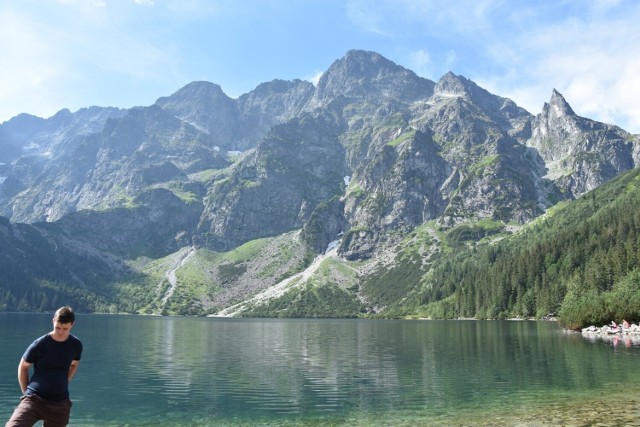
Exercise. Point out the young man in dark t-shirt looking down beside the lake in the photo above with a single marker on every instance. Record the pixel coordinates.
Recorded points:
(55, 358)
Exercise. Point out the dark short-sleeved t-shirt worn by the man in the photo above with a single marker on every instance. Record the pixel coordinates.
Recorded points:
(51, 361)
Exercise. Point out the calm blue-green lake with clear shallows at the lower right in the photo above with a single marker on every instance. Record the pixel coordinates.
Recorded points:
(179, 371)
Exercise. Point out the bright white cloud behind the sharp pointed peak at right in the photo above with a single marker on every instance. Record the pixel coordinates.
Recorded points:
(594, 61)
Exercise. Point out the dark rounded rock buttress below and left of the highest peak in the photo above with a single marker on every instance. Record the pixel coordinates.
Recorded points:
(277, 186)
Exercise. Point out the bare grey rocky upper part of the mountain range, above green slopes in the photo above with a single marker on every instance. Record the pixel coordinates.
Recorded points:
(372, 152)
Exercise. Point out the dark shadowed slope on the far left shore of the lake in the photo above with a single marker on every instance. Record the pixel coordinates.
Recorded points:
(42, 269)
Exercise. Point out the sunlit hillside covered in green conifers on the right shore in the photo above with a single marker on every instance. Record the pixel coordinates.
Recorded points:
(580, 262)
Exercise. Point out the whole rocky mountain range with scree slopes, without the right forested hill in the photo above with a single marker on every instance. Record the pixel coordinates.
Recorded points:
(341, 196)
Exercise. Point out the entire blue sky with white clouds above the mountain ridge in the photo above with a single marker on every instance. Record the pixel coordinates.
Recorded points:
(78, 53)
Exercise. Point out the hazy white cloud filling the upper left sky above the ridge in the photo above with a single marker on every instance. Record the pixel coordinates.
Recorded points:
(70, 51)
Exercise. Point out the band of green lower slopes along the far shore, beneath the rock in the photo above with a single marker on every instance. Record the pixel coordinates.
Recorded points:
(579, 261)
